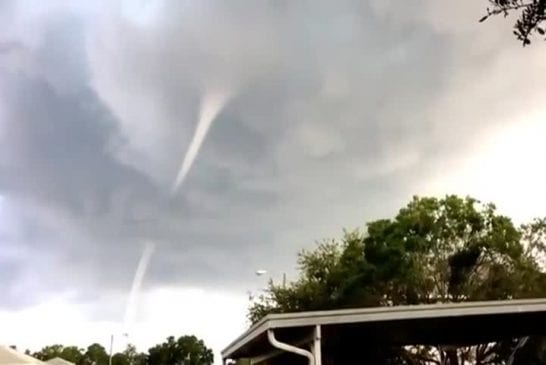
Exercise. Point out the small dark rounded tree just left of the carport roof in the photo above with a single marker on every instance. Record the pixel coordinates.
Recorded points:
(187, 350)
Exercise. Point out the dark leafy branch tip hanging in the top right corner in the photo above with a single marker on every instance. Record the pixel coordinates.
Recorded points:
(531, 16)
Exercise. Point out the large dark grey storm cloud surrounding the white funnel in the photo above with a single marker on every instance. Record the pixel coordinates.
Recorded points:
(79, 159)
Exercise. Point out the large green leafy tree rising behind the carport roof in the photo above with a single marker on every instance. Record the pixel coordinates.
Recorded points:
(433, 250)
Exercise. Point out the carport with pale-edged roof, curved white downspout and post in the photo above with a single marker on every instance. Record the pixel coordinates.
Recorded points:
(308, 337)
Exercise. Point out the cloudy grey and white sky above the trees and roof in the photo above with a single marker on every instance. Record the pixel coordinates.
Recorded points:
(316, 116)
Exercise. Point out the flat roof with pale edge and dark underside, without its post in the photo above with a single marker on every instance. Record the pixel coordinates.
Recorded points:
(469, 322)
